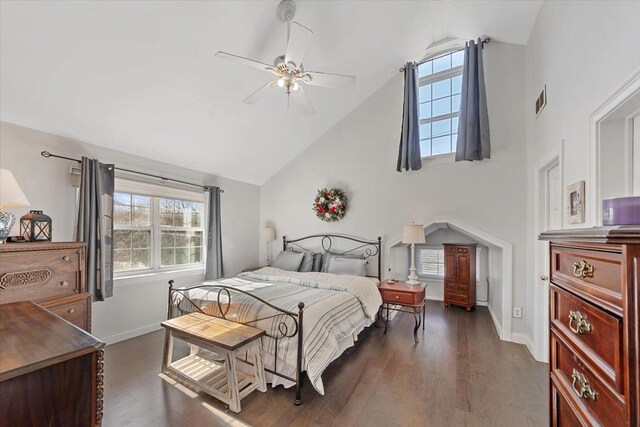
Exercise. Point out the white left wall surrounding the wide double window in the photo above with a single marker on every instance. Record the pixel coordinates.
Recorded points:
(138, 305)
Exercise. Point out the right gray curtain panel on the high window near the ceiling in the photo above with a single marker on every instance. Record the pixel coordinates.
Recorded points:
(473, 128)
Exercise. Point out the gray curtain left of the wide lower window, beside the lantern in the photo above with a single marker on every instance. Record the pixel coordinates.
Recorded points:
(95, 225)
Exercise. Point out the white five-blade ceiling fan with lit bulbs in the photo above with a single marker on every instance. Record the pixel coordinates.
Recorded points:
(289, 73)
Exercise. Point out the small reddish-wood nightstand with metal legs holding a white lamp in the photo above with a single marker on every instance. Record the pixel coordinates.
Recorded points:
(404, 298)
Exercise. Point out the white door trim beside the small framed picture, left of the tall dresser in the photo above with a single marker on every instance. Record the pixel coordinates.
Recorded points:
(540, 317)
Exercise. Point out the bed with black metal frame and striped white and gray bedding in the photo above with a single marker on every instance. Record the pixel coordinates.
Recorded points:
(310, 318)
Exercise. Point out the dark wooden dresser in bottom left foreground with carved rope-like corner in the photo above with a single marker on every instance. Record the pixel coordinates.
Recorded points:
(51, 373)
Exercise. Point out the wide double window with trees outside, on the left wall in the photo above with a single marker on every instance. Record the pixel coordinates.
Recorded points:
(153, 233)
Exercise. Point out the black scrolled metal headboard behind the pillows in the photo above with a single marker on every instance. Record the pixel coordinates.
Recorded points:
(368, 248)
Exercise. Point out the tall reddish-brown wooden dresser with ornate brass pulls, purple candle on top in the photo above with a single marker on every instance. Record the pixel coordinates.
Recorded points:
(594, 336)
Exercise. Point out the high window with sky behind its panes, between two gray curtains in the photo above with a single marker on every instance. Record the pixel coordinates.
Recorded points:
(440, 85)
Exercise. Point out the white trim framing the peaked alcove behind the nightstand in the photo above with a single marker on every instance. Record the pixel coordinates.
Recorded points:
(504, 330)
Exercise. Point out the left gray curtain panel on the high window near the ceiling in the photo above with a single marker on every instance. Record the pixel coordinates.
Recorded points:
(409, 157)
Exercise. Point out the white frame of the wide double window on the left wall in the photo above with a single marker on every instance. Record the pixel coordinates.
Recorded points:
(155, 193)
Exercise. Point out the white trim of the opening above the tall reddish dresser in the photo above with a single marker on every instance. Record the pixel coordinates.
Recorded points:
(619, 96)
